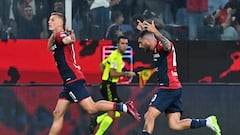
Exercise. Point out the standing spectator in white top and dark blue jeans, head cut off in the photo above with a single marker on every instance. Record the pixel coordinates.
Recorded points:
(100, 9)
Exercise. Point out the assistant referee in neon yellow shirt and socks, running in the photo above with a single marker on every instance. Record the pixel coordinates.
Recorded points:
(111, 69)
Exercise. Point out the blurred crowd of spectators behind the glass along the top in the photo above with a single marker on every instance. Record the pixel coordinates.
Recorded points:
(108, 19)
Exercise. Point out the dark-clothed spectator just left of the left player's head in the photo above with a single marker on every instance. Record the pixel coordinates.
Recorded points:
(28, 24)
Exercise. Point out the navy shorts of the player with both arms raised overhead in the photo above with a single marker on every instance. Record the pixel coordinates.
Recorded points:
(168, 101)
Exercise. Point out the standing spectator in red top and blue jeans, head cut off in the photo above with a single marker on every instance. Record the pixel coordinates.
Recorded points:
(195, 10)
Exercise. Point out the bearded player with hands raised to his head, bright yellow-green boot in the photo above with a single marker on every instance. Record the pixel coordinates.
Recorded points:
(168, 98)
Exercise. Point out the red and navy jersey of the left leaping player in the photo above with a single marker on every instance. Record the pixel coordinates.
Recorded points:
(65, 59)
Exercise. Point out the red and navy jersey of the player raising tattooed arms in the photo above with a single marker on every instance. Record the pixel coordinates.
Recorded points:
(166, 64)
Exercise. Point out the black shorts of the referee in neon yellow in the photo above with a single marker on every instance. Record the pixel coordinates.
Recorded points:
(109, 91)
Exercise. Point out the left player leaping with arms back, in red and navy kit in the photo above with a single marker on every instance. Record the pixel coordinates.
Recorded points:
(61, 43)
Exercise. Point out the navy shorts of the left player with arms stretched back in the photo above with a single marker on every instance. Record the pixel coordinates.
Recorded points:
(75, 92)
